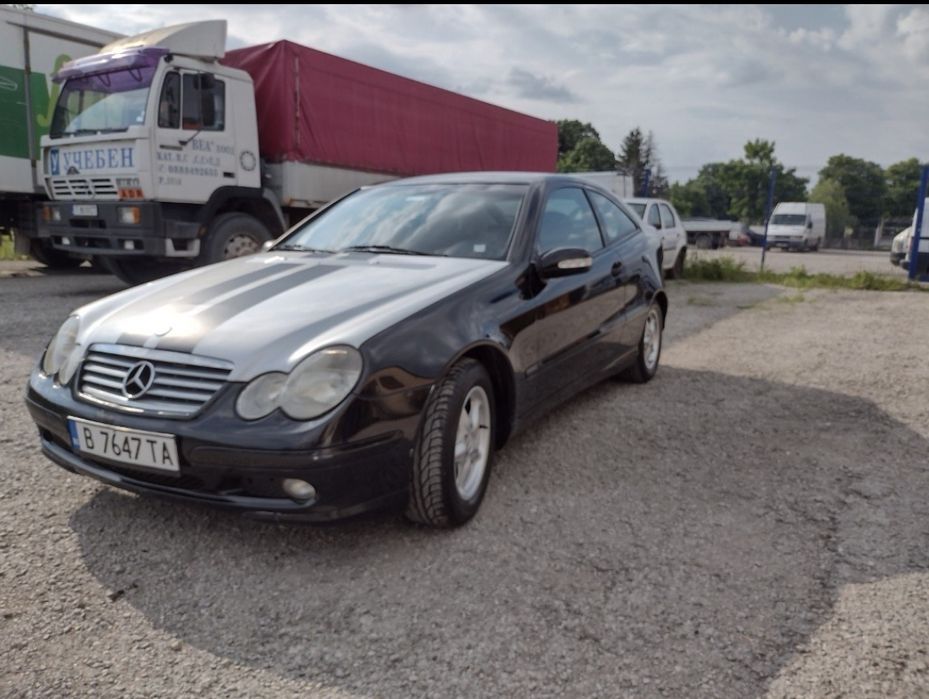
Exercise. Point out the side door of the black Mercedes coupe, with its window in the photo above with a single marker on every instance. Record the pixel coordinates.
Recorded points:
(572, 311)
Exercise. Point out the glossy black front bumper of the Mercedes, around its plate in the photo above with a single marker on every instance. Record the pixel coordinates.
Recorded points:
(219, 467)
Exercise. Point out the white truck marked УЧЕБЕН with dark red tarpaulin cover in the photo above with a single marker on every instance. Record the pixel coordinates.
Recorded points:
(166, 152)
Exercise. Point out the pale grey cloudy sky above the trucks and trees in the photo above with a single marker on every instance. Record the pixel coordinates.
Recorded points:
(816, 79)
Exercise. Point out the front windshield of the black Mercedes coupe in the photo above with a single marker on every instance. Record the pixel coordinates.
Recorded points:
(458, 220)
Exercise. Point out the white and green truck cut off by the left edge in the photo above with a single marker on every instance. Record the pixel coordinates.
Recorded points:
(32, 48)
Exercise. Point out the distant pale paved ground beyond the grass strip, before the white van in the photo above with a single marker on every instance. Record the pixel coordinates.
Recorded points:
(827, 261)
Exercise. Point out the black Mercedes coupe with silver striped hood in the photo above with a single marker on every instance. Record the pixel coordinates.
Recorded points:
(378, 353)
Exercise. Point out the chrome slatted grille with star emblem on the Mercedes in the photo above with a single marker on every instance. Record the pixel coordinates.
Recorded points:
(179, 386)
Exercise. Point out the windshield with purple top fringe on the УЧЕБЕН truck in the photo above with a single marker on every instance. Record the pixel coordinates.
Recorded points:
(102, 103)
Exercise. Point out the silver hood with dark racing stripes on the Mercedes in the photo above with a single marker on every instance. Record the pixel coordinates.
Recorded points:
(266, 312)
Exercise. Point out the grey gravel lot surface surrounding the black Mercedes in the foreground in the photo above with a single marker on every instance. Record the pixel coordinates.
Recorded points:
(753, 522)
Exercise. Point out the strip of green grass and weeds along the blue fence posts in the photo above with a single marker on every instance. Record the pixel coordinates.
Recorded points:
(727, 269)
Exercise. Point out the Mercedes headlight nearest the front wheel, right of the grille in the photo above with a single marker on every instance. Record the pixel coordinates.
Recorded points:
(315, 386)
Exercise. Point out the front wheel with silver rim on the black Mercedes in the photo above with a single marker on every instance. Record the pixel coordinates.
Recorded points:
(442, 495)
